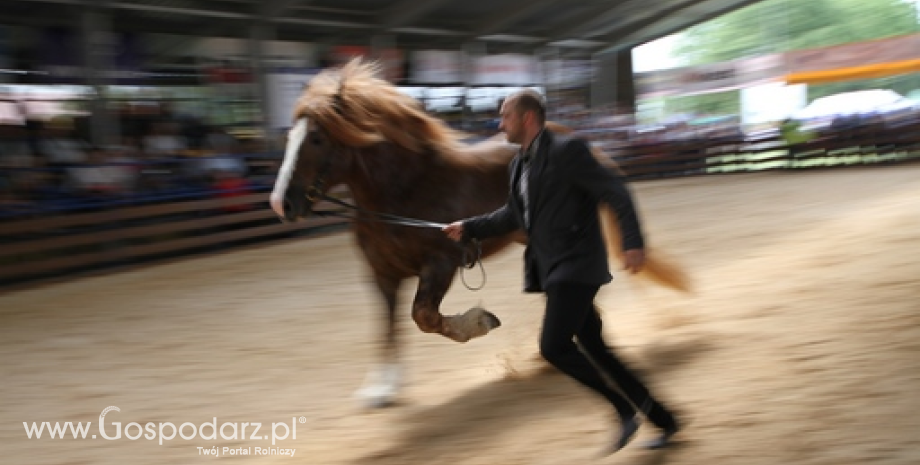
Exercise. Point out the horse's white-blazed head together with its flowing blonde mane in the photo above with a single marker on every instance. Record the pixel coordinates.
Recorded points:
(341, 113)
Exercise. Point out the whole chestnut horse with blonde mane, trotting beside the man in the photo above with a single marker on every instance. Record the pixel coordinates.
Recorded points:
(355, 129)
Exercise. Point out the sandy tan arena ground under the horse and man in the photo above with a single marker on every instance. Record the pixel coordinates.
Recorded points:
(801, 345)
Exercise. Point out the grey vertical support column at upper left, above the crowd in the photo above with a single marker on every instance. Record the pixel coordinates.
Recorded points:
(97, 63)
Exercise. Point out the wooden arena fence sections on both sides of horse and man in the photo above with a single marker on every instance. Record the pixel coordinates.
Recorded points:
(55, 244)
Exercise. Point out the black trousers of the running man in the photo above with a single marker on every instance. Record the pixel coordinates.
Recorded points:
(570, 314)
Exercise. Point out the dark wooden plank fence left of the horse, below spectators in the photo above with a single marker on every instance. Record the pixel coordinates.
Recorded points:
(52, 246)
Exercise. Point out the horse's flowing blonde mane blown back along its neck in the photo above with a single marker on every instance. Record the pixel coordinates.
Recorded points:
(359, 109)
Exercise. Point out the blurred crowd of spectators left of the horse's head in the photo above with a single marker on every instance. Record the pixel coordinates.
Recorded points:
(49, 165)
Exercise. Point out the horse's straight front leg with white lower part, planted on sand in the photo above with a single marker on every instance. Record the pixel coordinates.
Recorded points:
(383, 382)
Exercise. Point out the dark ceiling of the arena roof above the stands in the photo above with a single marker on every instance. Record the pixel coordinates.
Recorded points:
(568, 27)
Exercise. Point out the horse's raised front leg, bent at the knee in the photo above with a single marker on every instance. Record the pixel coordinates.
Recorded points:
(434, 281)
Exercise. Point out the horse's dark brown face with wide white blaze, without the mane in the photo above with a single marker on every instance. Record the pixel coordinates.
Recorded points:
(312, 164)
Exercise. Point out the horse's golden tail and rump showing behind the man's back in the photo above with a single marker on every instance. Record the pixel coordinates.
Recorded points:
(658, 267)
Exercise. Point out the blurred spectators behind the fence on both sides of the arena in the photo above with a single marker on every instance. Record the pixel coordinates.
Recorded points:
(49, 165)
